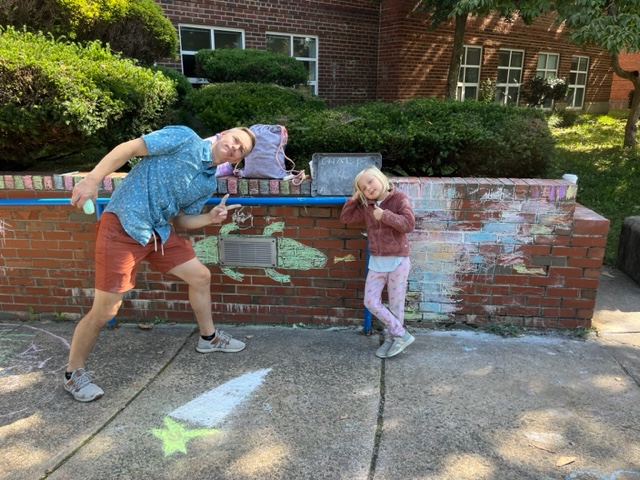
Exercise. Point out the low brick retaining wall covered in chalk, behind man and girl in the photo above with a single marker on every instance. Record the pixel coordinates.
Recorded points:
(484, 250)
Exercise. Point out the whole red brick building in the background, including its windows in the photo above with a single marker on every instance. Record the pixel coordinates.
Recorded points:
(364, 50)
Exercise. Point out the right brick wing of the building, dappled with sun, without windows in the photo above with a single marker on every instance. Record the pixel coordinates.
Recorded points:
(414, 60)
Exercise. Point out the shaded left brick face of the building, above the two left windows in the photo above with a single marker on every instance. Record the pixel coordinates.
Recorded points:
(347, 31)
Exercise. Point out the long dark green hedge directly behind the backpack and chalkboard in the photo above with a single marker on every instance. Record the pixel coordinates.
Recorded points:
(419, 137)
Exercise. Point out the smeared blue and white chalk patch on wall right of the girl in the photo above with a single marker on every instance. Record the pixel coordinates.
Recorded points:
(441, 256)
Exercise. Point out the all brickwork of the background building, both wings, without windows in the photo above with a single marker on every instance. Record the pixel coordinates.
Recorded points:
(384, 50)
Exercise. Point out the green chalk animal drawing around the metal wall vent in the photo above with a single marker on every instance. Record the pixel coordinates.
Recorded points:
(290, 253)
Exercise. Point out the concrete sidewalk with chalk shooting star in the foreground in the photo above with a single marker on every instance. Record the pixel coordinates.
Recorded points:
(317, 404)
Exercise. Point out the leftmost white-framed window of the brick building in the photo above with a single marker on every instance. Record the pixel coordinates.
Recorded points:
(194, 38)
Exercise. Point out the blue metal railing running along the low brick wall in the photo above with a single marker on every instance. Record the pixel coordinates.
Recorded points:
(100, 204)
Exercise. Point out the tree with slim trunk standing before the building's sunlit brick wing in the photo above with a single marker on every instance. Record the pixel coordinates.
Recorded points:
(443, 10)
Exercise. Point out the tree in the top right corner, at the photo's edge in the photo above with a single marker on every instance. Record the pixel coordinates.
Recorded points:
(613, 25)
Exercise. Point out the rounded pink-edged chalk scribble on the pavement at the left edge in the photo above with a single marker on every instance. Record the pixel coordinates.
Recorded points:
(30, 369)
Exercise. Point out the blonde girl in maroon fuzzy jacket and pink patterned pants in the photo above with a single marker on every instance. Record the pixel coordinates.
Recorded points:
(388, 217)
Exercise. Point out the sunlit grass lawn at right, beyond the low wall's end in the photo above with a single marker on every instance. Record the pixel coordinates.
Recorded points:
(608, 174)
